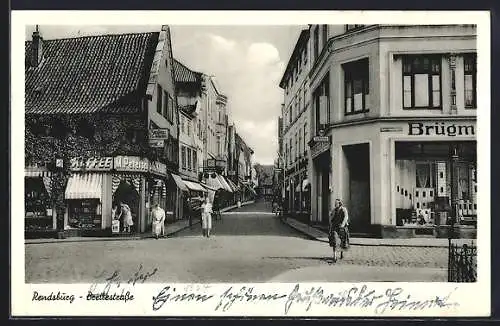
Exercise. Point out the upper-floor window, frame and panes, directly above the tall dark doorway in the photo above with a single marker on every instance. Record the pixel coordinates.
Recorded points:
(356, 87)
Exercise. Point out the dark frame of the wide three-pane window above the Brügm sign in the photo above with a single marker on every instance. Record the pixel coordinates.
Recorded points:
(430, 73)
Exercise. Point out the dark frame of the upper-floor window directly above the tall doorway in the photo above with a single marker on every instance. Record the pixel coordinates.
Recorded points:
(361, 72)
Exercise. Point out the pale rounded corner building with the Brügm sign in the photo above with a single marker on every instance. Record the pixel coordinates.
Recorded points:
(394, 127)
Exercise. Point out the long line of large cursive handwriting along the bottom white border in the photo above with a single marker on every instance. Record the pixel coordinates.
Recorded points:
(306, 297)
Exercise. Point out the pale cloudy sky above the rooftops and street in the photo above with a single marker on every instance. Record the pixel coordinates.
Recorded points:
(247, 62)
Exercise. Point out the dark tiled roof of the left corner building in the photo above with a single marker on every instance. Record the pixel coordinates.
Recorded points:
(89, 74)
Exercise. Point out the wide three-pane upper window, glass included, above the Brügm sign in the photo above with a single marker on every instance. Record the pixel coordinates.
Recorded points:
(421, 82)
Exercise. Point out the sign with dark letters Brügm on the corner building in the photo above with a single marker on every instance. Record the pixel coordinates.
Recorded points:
(440, 129)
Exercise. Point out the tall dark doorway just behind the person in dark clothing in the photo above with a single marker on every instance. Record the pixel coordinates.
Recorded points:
(358, 187)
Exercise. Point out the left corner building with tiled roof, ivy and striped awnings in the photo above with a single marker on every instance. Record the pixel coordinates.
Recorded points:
(101, 134)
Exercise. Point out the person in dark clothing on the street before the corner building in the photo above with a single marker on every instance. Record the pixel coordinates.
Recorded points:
(338, 232)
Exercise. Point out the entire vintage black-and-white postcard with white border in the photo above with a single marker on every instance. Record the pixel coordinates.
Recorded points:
(250, 163)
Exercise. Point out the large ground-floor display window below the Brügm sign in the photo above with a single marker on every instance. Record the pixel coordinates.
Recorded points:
(435, 183)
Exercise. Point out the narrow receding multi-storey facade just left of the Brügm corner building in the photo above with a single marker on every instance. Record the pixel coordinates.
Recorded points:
(295, 128)
